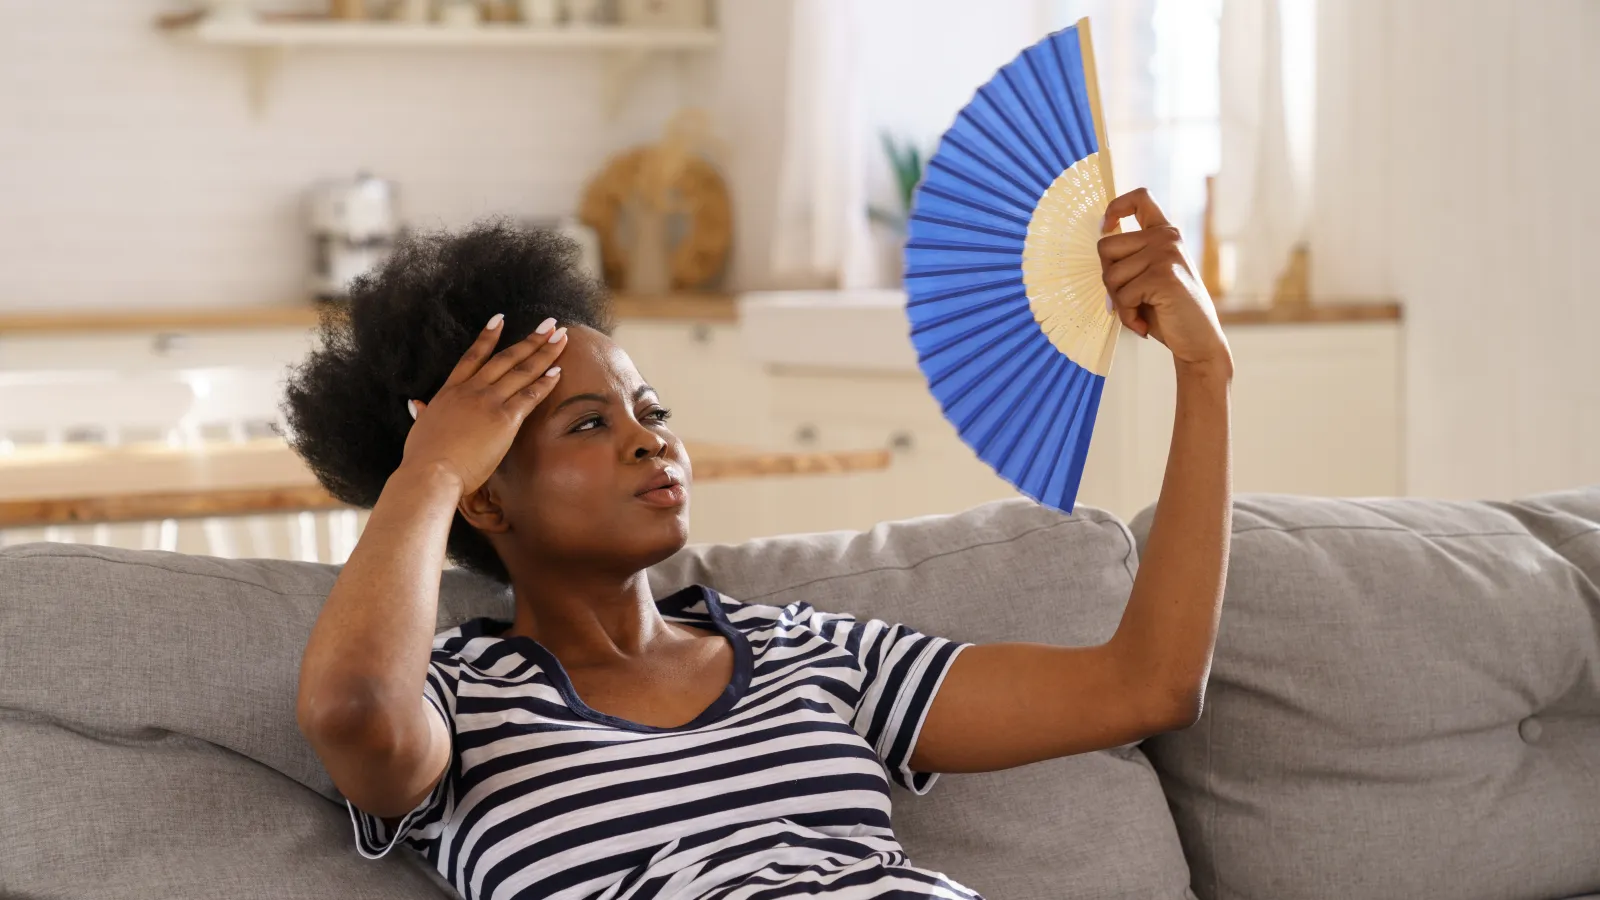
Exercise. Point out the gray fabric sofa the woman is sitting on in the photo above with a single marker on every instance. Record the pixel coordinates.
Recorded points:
(1406, 704)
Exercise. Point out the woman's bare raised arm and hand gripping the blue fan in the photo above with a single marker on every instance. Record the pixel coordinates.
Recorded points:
(1006, 705)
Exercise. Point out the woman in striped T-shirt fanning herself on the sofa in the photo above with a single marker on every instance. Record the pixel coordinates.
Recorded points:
(607, 744)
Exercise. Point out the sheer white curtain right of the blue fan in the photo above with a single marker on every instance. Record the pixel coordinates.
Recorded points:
(1268, 105)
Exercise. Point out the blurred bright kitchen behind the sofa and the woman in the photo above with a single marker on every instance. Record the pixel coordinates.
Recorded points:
(1391, 203)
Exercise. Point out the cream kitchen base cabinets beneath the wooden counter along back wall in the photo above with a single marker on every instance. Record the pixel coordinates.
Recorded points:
(1318, 408)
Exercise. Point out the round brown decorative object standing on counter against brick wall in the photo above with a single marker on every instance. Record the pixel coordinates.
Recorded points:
(673, 182)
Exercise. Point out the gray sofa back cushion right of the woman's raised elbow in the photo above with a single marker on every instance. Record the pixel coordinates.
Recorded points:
(1404, 702)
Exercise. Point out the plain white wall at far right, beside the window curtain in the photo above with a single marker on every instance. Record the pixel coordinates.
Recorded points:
(1457, 174)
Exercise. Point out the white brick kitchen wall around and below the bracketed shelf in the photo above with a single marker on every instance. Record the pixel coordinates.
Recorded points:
(132, 172)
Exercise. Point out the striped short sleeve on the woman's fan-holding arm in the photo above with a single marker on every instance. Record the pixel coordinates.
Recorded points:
(902, 672)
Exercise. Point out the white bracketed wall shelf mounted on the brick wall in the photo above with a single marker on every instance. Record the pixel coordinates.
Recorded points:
(266, 42)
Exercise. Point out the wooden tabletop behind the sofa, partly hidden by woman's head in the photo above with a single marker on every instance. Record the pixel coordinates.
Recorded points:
(86, 484)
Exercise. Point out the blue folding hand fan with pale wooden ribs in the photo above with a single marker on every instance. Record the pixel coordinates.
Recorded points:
(1006, 300)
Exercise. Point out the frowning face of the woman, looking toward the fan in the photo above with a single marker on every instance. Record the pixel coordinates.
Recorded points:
(575, 486)
